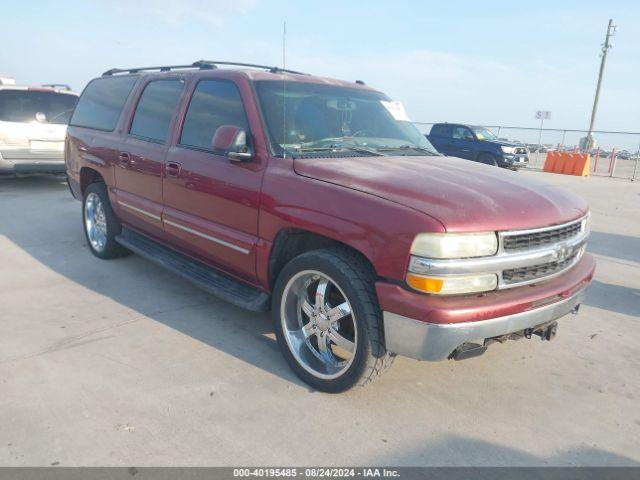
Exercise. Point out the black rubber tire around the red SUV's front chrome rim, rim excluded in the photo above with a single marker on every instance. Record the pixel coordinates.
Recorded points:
(355, 277)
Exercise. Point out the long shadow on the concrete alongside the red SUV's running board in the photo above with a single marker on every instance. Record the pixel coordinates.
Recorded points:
(54, 237)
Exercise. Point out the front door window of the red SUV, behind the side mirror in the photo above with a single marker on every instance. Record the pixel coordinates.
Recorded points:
(214, 103)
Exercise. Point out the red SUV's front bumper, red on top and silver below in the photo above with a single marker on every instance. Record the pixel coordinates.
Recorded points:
(430, 327)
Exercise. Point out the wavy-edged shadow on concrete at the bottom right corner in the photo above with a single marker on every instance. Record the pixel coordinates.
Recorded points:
(465, 451)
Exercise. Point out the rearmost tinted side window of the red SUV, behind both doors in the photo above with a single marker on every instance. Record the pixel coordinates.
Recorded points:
(101, 103)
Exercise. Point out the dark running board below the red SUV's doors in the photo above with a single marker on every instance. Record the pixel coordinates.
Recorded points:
(205, 277)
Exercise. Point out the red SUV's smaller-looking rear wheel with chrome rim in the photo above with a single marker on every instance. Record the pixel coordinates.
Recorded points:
(100, 223)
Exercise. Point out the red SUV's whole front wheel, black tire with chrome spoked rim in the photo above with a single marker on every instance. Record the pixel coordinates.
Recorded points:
(328, 322)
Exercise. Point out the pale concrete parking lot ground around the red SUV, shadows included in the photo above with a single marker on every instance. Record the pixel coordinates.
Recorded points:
(121, 363)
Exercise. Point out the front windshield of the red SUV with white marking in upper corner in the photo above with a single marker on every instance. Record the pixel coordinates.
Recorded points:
(307, 119)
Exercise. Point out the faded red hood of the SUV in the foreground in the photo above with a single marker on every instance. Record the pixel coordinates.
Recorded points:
(461, 194)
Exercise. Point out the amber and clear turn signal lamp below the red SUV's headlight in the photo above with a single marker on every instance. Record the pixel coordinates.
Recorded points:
(453, 284)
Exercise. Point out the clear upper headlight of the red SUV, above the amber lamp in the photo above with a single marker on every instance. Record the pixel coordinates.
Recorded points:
(455, 245)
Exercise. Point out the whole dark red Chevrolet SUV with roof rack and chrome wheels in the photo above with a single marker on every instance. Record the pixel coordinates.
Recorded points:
(320, 200)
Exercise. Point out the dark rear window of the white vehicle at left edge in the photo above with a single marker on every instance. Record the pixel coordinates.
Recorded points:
(23, 105)
